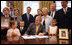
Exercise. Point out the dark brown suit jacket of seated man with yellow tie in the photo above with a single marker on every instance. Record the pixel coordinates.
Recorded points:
(32, 29)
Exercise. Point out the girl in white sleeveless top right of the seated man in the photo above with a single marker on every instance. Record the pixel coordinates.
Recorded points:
(52, 30)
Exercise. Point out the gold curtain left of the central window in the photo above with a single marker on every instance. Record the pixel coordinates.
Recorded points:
(17, 4)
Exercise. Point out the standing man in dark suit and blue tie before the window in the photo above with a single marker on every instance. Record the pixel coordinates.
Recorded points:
(27, 17)
